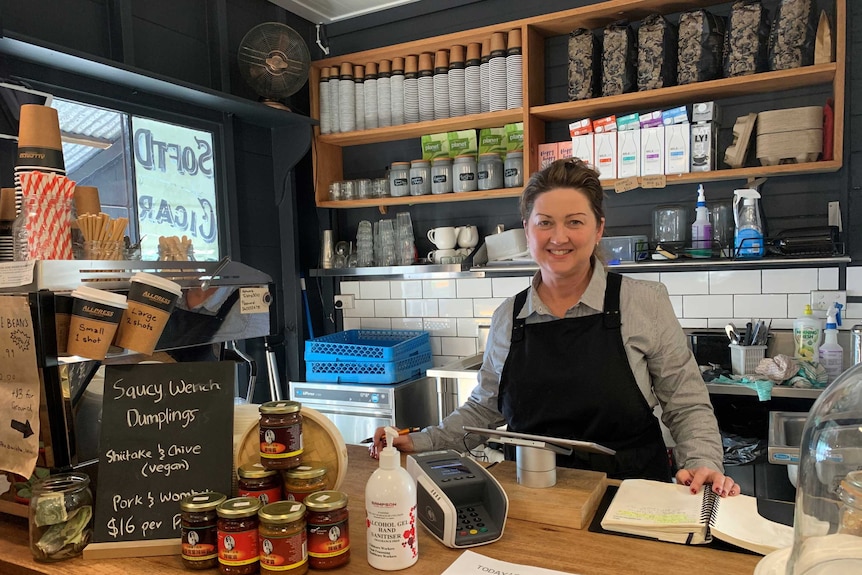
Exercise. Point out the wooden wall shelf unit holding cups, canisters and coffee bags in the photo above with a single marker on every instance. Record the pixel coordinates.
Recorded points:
(327, 148)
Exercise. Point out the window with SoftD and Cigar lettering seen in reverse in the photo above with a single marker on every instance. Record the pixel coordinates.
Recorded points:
(159, 175)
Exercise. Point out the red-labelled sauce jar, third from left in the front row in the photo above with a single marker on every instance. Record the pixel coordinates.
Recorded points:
(283, 548)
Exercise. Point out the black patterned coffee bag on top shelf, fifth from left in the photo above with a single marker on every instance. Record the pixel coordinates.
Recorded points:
(746, 42)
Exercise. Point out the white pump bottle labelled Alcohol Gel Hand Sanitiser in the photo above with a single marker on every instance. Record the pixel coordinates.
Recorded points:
(390, 510)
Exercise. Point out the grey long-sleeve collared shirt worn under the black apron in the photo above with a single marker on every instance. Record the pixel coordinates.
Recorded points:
(655, 345)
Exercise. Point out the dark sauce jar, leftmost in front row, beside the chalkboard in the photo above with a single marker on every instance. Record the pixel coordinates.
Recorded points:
(199, 542)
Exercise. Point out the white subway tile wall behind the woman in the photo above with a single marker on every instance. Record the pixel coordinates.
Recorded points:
(452, 309)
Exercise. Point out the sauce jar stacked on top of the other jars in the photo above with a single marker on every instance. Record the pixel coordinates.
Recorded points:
(280, 434)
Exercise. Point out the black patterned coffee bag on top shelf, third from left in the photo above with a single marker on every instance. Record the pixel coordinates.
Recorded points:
(657, 46)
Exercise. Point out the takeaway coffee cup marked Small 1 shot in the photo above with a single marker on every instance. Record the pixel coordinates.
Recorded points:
(95, 316)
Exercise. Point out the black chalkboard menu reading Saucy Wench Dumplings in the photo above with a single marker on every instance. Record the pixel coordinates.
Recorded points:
(167, 432)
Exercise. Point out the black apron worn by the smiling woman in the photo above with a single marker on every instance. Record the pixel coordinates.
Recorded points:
(571, 378)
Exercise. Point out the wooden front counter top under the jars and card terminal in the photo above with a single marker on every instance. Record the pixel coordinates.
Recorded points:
(568, 550)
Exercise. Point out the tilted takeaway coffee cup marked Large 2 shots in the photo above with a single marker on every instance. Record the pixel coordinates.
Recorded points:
(151, 301)
